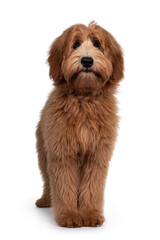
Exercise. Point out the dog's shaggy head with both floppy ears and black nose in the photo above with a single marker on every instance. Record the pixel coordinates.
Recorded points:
(86, 58)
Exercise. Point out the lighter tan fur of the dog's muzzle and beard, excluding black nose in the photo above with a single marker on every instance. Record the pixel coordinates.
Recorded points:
(74, 73)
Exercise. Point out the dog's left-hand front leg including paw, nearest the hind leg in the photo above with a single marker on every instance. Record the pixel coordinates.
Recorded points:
(63, 174)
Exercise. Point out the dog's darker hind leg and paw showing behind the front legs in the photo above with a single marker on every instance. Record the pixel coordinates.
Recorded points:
(45, 200)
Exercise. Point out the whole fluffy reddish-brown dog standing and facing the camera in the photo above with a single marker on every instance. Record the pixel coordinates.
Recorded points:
(77, 130)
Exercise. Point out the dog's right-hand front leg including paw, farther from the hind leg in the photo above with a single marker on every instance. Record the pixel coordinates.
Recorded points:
(91, 191)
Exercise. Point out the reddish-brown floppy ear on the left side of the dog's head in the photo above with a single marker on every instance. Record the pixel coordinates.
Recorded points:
(56, 53)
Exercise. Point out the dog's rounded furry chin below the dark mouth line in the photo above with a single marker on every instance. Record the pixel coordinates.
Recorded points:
(86, 81)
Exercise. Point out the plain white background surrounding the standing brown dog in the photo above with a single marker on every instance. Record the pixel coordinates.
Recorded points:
(132, 199)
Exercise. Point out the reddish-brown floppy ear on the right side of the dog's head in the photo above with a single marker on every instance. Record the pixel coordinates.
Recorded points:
(116, 55)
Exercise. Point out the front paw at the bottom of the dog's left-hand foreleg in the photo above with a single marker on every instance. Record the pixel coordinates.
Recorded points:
(70, 220)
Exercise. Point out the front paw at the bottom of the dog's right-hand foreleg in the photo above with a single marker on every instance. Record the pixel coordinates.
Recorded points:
(92, 218)
